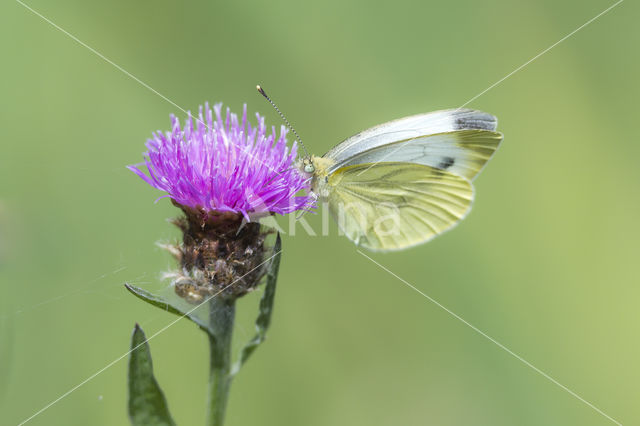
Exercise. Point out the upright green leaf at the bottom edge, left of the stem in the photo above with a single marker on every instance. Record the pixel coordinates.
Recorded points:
(147, 404)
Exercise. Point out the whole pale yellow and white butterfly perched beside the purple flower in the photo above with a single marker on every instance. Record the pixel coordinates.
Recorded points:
(404, 182)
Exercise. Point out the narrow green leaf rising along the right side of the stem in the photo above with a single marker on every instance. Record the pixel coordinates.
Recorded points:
(265, 310)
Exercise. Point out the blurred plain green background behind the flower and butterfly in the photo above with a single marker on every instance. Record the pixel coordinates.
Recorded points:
(547, 263)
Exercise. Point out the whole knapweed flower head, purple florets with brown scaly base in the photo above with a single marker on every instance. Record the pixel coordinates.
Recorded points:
(224, 174)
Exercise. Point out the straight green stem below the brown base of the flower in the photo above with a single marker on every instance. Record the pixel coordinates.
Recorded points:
(221, 317)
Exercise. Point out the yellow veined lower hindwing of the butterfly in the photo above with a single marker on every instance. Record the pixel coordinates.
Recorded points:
(392, 206)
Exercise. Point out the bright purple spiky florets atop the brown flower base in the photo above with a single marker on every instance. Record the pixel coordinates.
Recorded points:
(225, 166)
